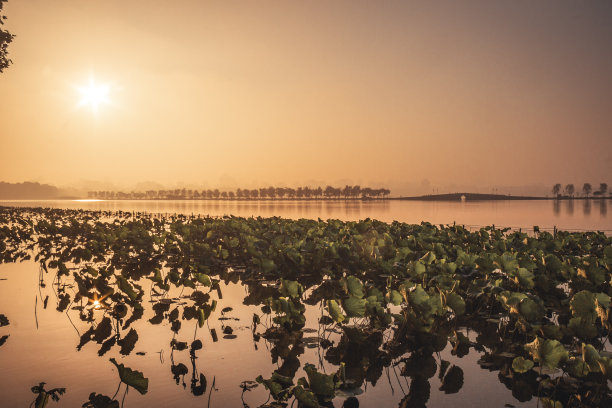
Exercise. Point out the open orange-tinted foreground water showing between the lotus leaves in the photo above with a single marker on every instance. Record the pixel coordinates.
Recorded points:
(42, 347)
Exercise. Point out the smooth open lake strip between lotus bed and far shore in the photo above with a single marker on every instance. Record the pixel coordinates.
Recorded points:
(567, 214)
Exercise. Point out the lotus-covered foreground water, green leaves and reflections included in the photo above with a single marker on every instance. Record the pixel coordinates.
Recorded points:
(110, 309)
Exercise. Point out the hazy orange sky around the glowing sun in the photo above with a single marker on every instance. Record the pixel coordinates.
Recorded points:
(486, 93)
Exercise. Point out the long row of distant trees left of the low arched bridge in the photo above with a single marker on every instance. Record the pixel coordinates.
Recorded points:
(329, 192)
